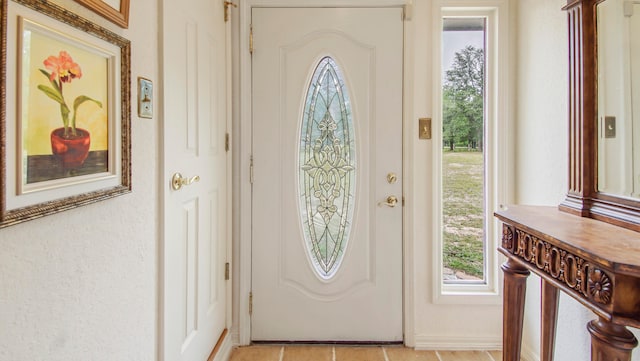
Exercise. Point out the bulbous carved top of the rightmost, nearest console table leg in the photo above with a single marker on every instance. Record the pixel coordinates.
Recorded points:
(610, 342)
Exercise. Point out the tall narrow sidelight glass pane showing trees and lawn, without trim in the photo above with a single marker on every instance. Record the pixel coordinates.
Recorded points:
(463, 157)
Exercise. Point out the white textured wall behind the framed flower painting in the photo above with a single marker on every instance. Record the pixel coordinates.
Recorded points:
(82, 284)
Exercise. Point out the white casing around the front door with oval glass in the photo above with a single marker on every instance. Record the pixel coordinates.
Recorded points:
(242, 183)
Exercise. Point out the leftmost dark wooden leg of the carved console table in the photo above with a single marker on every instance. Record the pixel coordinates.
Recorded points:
(515, 285)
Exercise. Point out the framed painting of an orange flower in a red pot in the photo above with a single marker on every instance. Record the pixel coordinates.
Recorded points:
(60, 69)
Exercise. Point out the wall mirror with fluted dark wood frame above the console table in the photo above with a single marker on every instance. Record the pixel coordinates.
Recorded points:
(604, 111)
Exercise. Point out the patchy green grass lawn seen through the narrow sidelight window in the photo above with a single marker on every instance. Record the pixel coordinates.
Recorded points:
(462, 188)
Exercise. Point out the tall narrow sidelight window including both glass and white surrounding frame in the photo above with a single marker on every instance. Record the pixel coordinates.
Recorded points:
(473, 152)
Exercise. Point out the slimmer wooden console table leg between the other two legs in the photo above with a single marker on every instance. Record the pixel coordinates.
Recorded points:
(549, 313)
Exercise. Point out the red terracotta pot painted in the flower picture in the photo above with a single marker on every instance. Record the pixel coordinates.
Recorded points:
(72, 151)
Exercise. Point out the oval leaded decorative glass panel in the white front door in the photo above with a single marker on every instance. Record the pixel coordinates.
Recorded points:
(327, 168)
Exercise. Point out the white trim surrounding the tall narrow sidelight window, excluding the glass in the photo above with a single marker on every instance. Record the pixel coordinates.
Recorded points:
(498, 146)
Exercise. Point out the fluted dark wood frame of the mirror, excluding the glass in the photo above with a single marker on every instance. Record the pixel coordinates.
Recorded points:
(583, 198)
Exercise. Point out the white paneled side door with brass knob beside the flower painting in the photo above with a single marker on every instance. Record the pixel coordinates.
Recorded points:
(193, 111)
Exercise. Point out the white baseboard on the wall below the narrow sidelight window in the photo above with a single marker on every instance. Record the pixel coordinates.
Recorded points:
(457, 343)
